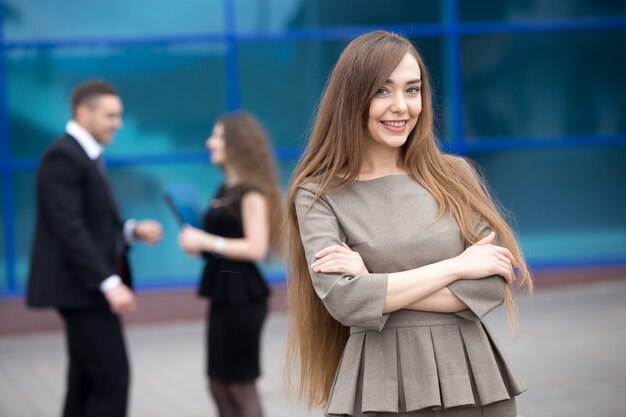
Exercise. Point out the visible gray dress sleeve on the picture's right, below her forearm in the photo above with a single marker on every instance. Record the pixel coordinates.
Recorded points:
(480, 295)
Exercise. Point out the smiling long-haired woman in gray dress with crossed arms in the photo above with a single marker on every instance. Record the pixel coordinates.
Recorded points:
(393, 257)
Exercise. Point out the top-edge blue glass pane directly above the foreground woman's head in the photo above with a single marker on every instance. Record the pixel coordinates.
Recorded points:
(280, 15)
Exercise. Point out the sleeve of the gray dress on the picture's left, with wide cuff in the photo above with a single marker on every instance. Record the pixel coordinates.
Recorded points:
(351, 300)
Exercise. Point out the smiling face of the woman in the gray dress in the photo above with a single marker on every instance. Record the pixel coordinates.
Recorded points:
(395, 108)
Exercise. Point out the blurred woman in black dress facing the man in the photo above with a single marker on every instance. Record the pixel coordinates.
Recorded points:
(240, 228)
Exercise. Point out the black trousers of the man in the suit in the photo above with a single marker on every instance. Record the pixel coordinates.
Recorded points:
(98, 375)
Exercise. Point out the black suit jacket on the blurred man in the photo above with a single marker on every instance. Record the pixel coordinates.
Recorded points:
(78, 233)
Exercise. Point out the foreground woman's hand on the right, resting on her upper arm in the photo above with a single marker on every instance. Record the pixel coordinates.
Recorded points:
(484, 259)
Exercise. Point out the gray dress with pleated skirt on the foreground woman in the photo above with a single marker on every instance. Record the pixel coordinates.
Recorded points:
(407, 360)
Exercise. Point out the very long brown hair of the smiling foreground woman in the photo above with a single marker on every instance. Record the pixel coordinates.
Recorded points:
(335, 149)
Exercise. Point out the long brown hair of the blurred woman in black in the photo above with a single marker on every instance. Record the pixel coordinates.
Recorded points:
(248, 153)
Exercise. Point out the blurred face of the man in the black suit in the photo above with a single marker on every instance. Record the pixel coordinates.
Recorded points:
(102, 117)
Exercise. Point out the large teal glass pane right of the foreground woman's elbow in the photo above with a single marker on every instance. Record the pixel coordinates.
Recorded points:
(568, 204)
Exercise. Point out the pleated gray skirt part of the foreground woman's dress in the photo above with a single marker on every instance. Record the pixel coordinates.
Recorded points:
(422, 362)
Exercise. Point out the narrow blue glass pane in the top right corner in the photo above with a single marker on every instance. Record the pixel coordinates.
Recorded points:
(518, 11)
